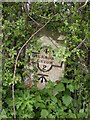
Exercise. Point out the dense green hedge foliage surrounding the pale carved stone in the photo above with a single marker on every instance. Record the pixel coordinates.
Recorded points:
(72, 98)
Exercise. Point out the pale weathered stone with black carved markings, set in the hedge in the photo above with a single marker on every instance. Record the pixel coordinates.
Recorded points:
(48, 67)
